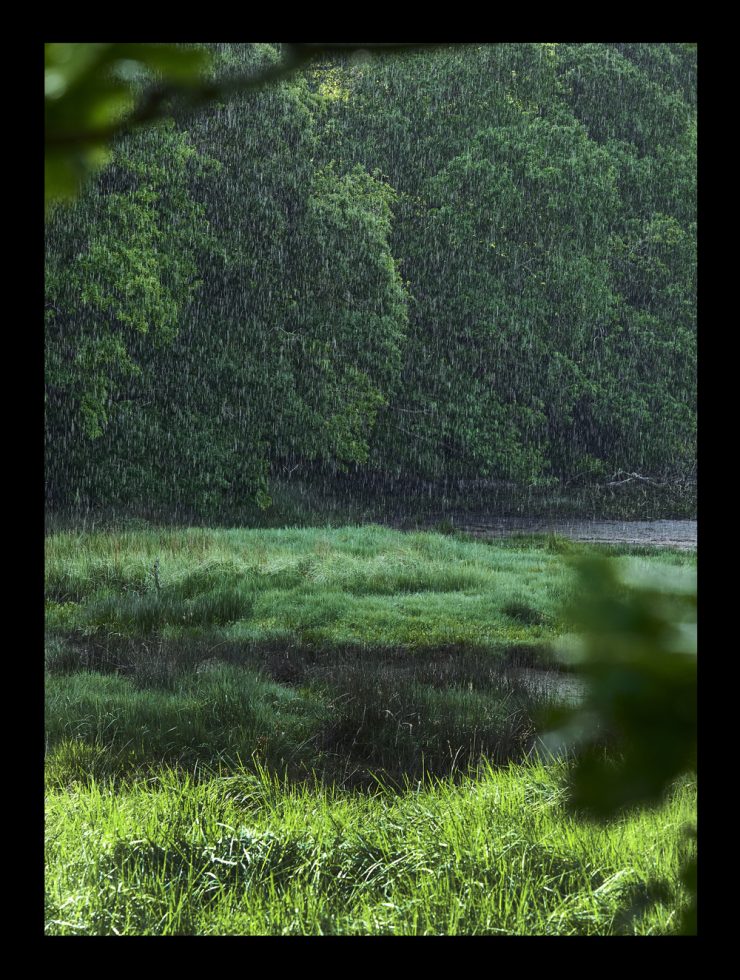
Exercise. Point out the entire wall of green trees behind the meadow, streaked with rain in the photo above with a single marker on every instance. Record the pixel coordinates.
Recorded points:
(474, 263)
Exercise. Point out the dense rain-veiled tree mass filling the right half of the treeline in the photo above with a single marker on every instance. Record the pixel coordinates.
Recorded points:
(519, 168)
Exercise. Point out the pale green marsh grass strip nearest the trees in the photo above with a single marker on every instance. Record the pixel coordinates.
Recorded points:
(367, 585)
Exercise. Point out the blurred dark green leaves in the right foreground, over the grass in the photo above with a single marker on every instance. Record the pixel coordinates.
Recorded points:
(636, 650)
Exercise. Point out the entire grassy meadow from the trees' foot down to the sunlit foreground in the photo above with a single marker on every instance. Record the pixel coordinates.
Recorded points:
(326, 731)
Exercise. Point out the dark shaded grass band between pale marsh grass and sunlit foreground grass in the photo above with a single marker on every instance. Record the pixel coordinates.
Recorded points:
(346, 724)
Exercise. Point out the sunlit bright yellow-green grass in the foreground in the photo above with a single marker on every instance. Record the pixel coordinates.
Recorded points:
(246, 854)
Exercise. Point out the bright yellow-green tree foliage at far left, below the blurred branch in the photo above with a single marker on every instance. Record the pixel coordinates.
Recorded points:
(118, 265)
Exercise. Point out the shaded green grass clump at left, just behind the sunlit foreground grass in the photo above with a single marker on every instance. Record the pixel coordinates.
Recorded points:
(226, 713)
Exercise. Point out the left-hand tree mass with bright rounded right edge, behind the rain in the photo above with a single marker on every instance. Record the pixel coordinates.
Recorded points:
(293, 343)
